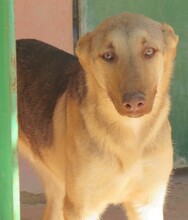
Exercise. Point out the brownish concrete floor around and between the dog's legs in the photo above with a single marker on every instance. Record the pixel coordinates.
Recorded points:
(176, 206)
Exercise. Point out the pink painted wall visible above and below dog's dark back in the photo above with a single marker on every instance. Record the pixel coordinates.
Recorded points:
(51, 22)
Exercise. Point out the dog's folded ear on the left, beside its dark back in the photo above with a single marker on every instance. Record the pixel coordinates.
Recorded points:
(83, 48)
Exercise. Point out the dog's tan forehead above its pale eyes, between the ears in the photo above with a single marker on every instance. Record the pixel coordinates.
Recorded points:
(127, 26)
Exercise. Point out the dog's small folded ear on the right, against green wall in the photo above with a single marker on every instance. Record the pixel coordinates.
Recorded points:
(170, 38)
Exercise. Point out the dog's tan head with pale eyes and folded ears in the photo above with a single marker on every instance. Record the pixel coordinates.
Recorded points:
(131, 57)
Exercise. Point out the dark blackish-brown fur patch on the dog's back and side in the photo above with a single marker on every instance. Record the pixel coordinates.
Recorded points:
(44, 73)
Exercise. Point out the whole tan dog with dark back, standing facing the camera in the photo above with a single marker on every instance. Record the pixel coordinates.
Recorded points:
(98, 133)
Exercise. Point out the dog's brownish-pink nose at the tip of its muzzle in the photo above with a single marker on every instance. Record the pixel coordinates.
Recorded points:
(134, 102)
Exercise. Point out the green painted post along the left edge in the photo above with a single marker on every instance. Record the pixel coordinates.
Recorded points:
(9, 182)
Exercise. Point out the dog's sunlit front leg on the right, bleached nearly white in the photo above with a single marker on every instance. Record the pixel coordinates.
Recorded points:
(150, 208)
